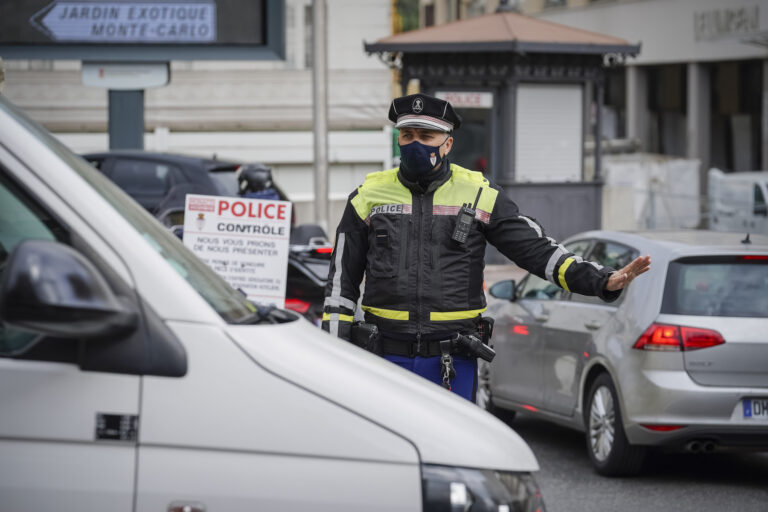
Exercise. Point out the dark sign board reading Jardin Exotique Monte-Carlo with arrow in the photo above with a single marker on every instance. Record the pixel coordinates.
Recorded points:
(142, 30)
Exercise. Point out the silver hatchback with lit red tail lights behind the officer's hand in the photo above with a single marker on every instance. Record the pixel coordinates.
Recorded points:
(679, 361)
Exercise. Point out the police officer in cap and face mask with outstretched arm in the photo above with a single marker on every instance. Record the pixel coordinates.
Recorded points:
(418, 233)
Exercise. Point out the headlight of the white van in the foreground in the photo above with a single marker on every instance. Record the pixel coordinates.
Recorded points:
(453, 489)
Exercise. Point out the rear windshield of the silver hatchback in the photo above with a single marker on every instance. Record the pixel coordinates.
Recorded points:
(718, 286)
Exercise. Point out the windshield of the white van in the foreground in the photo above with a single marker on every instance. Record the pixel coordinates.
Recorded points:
(228, 302)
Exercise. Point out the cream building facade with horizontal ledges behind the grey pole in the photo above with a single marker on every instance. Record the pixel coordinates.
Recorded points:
(258, 111)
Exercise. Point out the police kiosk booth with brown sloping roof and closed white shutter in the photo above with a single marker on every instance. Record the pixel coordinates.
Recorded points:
(530, 93)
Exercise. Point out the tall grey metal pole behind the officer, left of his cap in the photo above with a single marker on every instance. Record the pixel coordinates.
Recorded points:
(320, 112)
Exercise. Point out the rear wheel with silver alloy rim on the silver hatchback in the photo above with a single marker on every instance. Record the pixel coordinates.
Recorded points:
(607, 445)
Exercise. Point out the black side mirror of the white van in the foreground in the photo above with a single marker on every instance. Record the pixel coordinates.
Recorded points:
(50, 288)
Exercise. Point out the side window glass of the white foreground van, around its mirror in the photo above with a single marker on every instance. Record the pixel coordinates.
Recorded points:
(20, 220)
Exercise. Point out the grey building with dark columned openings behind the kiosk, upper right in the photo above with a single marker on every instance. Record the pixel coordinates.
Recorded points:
(697, 89)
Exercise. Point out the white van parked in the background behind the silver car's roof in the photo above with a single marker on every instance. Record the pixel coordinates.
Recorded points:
(737, 201)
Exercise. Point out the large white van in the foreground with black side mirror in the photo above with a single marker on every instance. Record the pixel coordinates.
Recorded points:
(132, 378)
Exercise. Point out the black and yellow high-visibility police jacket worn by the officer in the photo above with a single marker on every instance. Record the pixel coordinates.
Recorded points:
(418, 280)
